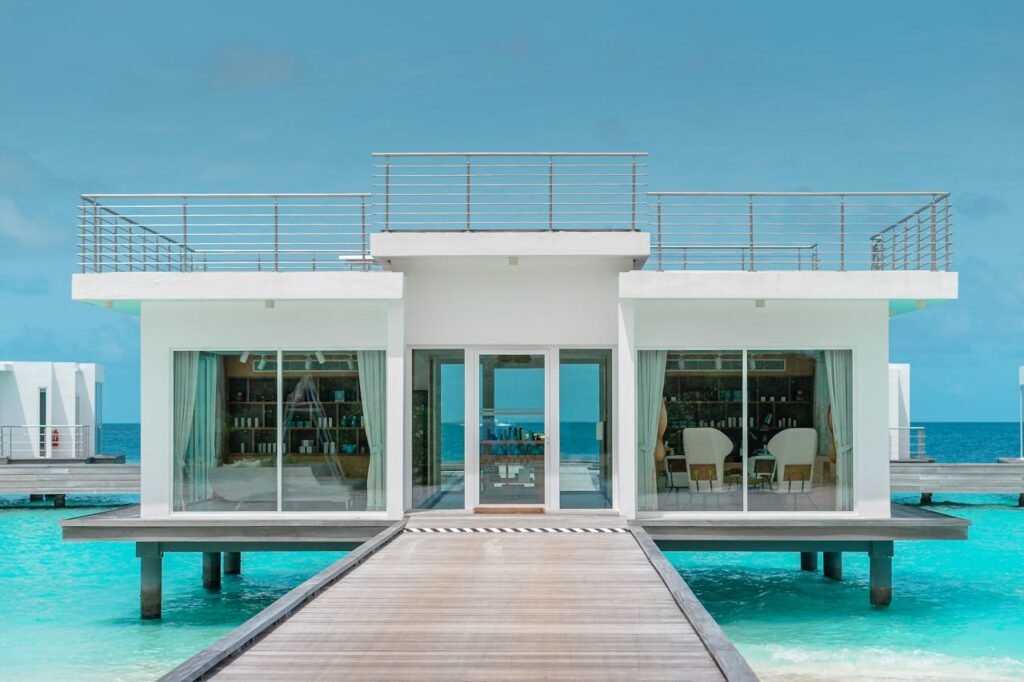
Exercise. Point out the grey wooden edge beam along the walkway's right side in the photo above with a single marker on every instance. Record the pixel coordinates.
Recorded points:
(733, 665)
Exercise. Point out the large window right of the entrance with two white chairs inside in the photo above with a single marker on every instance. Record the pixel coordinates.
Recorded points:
(794, 413)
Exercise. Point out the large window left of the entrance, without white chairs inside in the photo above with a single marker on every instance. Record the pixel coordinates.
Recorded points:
(271, 432)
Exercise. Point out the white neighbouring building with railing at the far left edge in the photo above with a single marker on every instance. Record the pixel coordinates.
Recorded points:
(51, 410)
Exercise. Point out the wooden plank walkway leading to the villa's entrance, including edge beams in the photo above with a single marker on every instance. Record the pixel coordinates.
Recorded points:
(483, 598)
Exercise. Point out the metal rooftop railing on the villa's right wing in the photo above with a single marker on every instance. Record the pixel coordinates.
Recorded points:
(800, 231)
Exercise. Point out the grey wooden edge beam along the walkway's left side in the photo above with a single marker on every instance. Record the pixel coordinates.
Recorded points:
(210, 660)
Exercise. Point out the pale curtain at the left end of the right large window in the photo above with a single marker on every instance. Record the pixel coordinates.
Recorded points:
(651, 386)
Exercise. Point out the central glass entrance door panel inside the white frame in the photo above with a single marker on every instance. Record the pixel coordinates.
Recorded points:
(513, 429)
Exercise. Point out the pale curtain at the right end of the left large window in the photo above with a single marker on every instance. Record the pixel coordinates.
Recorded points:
(373, 387)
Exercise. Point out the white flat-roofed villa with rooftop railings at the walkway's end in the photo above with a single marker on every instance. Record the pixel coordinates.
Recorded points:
(531, 331)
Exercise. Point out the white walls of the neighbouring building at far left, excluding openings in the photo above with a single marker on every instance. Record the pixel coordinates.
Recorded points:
(20, 385)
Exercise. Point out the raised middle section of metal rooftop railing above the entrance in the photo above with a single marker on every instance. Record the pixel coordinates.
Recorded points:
(509, 191)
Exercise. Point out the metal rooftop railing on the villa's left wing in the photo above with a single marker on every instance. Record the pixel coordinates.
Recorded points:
(196, 233)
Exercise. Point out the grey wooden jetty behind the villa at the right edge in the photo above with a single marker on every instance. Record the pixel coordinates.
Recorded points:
(1006, 477)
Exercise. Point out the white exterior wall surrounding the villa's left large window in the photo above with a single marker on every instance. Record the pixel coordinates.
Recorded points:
(251, 326)
